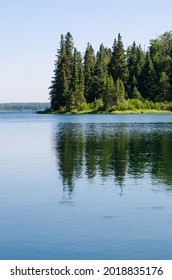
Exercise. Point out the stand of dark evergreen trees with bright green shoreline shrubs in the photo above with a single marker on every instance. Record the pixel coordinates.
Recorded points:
(113, 78)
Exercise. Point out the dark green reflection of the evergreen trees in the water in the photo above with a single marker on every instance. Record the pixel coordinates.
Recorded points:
(113, 150)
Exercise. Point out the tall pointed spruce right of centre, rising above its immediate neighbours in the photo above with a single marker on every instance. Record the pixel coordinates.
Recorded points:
(118, 65)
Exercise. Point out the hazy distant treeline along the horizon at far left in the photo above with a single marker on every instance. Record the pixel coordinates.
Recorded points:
(31, 107)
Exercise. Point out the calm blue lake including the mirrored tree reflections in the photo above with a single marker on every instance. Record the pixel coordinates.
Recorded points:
(85, 186)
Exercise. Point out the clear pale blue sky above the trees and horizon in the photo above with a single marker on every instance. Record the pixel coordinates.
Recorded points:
(30, 33)
